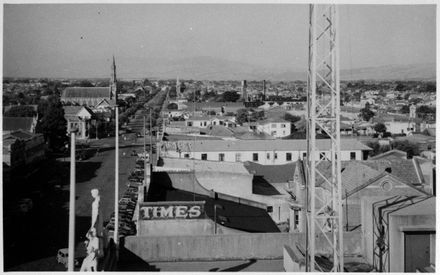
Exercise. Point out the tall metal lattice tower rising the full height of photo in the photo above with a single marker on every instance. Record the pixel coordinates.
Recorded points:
(324, 213)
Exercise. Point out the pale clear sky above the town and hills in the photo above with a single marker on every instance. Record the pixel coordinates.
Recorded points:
(43, 39)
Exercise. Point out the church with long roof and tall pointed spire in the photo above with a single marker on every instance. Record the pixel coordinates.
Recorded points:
(93, 97)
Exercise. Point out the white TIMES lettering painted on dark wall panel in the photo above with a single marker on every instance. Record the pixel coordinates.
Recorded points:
(172, 210)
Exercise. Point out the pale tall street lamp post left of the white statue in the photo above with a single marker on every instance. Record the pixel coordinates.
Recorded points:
(71, 259)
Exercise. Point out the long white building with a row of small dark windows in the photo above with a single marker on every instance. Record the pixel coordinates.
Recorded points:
(265, 152)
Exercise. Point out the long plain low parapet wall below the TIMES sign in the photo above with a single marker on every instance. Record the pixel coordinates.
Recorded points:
(229, 247)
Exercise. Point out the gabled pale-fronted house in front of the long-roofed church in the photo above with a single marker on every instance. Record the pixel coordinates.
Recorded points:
(79, 117)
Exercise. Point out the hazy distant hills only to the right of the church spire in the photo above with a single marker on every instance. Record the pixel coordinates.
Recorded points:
(206, 68)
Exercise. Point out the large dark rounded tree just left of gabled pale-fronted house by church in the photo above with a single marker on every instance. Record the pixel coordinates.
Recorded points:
(53, 125)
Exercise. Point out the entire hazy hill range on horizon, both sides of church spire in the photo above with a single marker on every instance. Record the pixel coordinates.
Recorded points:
(209, 68)
